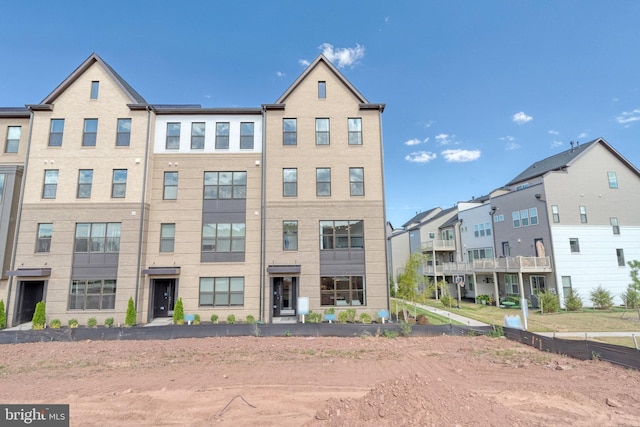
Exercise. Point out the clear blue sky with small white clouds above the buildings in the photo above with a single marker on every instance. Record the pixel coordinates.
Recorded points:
(475, 90)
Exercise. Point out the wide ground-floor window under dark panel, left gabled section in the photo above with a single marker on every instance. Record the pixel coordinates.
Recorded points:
(92, 294)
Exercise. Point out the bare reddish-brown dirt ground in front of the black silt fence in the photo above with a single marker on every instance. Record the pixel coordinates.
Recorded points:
(294, 381)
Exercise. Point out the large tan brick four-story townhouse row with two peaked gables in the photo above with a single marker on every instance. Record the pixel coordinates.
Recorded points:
(125, 199)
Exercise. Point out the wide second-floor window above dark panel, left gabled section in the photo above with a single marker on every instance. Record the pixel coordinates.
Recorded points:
(97, 237)
